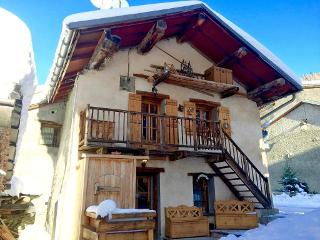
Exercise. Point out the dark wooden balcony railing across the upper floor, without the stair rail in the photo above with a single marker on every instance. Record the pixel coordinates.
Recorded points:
(114, 127)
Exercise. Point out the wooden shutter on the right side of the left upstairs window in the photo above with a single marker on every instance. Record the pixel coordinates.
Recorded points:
(171, 109)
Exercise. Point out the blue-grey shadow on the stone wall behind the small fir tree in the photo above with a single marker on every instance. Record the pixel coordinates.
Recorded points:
(306, 165)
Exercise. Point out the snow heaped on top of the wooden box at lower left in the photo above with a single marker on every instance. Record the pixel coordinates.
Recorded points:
(108, 207)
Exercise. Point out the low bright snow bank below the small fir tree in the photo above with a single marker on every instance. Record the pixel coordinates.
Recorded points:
(303, 200)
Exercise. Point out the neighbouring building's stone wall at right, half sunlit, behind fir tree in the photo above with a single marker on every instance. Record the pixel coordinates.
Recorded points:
(294, 141)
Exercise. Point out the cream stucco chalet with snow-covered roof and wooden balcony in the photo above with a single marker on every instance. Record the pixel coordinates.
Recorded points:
(161, 110)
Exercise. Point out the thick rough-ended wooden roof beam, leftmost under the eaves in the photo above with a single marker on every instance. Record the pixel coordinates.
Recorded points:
(107, 46)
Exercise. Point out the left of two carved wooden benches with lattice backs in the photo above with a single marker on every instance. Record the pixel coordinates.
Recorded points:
(184, 221)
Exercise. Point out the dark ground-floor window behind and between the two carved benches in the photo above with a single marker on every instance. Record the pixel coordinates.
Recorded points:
(203, 192)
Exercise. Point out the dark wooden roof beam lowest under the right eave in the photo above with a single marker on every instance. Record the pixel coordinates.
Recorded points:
(264, 90)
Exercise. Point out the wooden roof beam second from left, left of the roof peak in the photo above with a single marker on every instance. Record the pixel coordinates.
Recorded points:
(153, 36)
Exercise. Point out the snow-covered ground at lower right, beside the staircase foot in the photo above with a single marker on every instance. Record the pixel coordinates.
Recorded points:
(300, 220)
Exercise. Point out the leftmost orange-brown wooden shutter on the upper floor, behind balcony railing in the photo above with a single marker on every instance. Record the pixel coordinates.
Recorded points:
(134, 129)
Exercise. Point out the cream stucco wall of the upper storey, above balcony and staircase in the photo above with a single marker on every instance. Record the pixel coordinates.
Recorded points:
(102, 89)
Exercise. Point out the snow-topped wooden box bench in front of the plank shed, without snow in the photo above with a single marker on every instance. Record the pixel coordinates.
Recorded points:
(122, 226)
